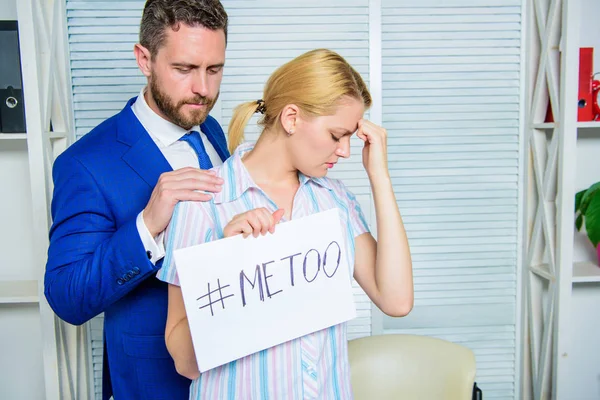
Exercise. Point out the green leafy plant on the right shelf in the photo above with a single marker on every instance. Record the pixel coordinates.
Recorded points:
(587, 212)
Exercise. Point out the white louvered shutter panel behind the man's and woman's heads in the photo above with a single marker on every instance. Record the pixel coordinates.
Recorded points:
(262, 36)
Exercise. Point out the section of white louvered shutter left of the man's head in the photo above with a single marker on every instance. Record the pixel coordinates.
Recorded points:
(103, 68)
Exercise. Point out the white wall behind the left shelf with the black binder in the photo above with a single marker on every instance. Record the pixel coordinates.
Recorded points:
(21, 368)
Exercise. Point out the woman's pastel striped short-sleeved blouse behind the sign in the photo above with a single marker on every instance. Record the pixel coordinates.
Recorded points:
(314, 366)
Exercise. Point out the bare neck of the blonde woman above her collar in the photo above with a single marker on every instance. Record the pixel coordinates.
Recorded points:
(268, 162)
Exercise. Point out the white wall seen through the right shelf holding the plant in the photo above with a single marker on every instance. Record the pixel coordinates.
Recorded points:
(585, 303)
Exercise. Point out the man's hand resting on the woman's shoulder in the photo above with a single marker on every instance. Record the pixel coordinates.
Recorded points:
(185, 184)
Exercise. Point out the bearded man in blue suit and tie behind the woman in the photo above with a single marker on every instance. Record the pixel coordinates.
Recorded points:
(115, 190)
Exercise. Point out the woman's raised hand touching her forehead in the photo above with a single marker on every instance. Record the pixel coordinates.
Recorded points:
(375, 147)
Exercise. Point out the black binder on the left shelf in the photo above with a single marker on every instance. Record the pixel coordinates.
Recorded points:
(12, 107)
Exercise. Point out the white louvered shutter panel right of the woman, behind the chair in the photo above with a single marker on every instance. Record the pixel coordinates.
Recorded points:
(451, 100)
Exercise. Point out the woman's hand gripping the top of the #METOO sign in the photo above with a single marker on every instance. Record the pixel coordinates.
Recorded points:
(254, 222)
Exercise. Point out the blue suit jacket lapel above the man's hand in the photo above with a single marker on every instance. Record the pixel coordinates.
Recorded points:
(144, 157)
